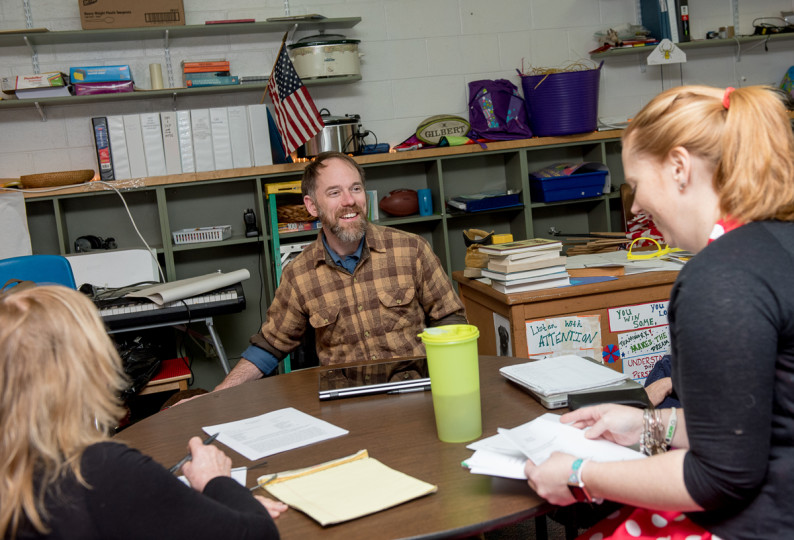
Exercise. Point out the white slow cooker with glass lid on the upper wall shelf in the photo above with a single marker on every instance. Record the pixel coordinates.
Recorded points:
(325, 55)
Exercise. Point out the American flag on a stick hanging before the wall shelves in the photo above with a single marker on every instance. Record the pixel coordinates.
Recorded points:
(297, 118)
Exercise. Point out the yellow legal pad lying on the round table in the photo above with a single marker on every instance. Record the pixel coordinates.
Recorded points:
(344, 489)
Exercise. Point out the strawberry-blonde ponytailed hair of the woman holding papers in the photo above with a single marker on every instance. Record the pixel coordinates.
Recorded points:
(747, 136)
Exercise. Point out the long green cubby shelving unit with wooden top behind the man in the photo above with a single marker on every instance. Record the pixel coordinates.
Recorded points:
(164, 204)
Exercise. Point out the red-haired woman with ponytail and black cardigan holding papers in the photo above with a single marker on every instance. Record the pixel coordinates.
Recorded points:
(715, 169)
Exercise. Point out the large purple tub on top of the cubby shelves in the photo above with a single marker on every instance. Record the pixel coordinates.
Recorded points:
(562, 103)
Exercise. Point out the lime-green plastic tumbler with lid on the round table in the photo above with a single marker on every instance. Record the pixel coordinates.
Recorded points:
(453, 363)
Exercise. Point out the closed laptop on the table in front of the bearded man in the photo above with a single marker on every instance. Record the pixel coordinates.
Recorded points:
(392, 377)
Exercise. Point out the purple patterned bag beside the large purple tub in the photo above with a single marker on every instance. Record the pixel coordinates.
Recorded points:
(497, 111)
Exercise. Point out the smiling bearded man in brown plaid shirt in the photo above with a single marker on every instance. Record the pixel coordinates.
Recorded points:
(365, 289)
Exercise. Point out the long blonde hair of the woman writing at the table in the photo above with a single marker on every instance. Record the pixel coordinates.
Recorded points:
(60, 378)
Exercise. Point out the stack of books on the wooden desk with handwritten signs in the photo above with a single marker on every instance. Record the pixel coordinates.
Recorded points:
(525, 265)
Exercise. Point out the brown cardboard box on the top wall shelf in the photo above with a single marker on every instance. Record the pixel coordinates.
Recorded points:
(98, 14)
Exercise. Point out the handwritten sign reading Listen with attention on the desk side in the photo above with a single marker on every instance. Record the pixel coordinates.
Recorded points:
(564, 335)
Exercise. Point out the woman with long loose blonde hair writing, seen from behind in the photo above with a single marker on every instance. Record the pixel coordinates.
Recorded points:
(62, 475)
